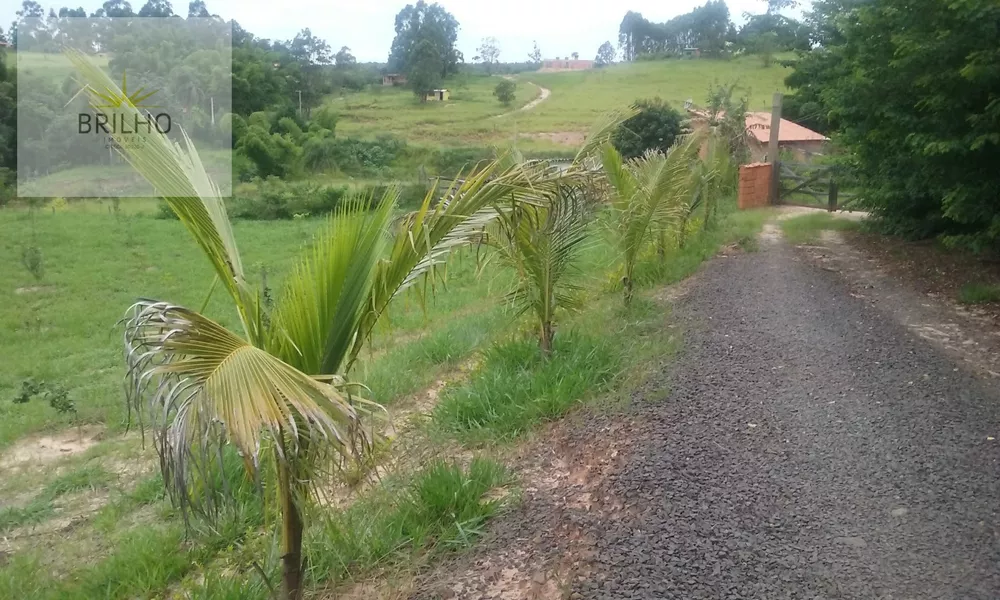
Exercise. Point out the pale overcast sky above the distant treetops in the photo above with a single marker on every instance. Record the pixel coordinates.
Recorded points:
(366, 26)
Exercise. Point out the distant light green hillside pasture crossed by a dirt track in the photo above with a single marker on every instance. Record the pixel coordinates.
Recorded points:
(578, 99)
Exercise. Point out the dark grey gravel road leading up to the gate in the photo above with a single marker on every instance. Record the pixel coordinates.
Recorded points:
(806, 445)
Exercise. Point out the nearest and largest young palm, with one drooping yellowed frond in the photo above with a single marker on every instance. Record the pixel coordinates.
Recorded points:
(277, 391)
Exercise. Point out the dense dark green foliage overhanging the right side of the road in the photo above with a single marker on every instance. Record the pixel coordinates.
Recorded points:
(918, 111)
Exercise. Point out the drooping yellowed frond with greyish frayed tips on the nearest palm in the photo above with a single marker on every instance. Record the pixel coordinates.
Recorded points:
(201, 387)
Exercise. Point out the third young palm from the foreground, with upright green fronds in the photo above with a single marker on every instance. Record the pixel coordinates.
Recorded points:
(648, 197)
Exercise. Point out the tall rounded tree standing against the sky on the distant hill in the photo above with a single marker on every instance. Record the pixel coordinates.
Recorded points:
(430, 23)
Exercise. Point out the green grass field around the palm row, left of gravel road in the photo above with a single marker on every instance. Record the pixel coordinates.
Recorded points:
(95, 523)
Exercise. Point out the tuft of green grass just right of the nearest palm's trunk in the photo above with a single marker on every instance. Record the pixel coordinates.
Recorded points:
(441, 508)
